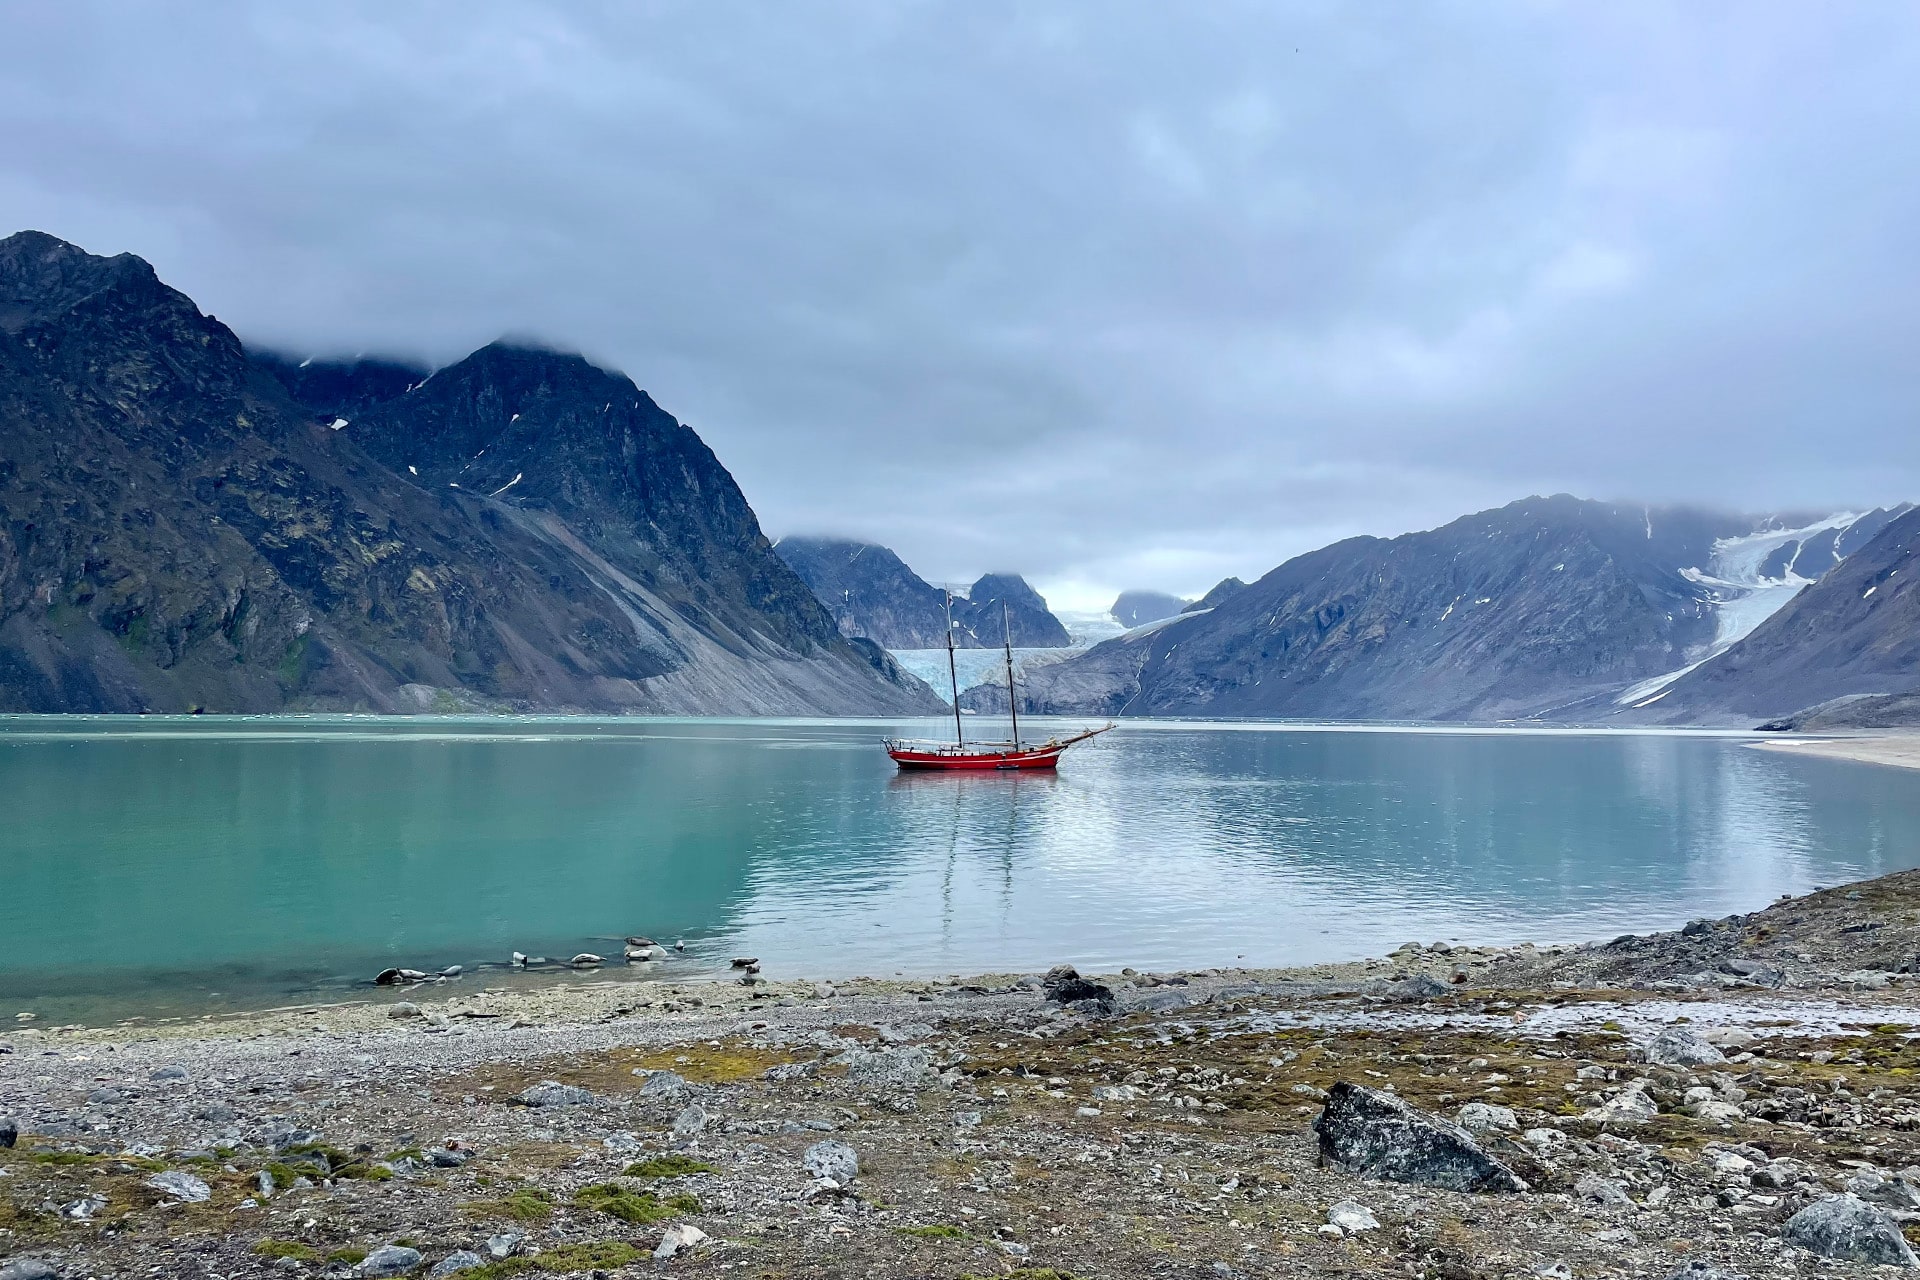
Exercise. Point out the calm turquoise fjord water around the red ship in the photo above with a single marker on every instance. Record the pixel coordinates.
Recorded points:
(187, 865)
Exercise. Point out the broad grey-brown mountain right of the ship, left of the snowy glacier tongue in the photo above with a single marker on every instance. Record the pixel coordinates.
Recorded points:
(1545, 607)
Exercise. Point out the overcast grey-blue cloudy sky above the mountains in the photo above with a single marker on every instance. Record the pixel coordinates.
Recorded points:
(1109, 295)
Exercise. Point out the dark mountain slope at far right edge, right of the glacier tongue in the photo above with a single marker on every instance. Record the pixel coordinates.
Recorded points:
(1844, 653)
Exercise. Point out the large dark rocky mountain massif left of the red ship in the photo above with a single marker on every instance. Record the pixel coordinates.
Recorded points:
(187, 529)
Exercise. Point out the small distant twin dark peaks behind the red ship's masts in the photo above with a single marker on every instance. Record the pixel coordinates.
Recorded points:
(875, 596)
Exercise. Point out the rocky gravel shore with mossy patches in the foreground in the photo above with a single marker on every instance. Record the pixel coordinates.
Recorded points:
(1735, 1099)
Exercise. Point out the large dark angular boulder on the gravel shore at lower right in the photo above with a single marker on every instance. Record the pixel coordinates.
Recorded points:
(1381, 1137)
